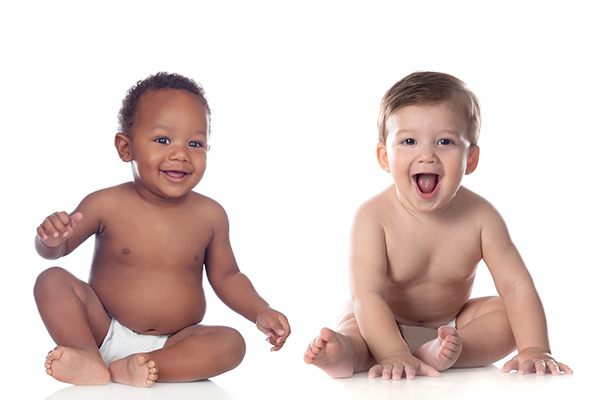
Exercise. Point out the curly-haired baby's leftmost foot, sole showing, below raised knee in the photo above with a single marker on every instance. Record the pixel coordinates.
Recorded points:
(76, 366)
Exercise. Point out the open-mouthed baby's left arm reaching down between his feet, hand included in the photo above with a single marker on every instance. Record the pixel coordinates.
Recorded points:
(377, 324)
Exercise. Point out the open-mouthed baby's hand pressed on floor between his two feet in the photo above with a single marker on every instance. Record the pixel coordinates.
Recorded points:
(394, 367)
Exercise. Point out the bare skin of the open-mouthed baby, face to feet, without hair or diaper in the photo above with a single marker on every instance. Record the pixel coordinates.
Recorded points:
(414, 252)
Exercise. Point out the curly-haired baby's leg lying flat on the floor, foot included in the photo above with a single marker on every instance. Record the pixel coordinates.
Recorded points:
(195, 353)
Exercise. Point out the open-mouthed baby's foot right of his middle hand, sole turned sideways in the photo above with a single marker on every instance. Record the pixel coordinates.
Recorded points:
(443, 352)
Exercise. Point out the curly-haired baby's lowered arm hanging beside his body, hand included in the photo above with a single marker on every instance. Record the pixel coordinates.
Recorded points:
(235, 289)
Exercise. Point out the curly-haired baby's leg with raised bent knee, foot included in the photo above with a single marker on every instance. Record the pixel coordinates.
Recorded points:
(77, 322)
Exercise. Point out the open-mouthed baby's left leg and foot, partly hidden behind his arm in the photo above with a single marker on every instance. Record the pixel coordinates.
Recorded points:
(340, 353)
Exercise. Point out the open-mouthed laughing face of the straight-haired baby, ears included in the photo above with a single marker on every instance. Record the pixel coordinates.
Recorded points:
(427, 151)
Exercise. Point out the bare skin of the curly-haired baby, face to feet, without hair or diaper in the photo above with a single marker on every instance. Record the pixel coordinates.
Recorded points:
(155, 237)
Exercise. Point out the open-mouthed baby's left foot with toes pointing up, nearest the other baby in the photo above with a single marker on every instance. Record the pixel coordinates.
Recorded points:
(331, 352)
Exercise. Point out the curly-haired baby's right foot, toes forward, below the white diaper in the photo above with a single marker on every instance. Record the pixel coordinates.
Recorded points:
(135, 370)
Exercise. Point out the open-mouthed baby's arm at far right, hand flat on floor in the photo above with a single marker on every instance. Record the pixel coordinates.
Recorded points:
(521, 300)
